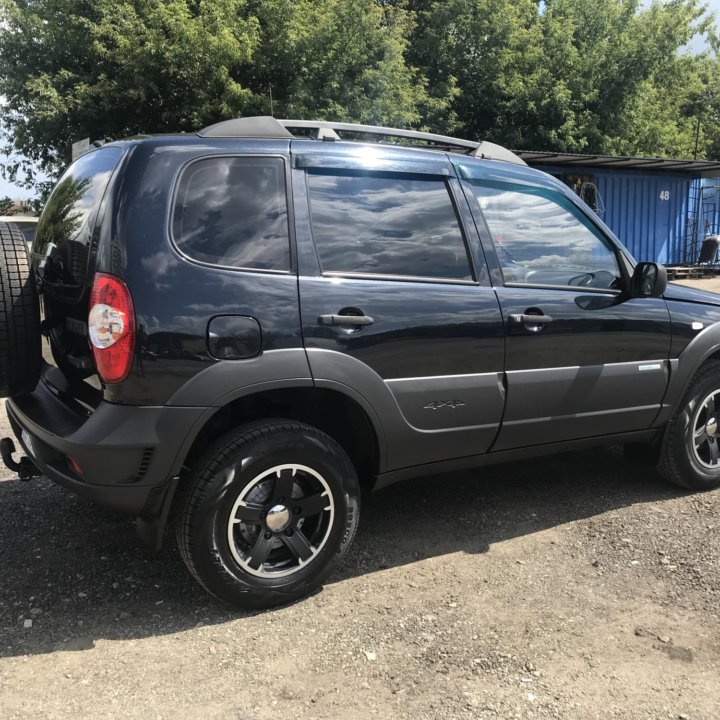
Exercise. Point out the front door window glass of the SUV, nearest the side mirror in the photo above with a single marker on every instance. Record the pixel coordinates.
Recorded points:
(541, 242)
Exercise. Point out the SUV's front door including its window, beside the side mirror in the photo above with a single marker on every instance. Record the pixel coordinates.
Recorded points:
(583, 358)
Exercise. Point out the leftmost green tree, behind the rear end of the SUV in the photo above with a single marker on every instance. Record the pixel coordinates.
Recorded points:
(94, 68)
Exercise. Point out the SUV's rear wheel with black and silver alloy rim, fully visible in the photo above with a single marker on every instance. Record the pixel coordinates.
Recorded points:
(268, 513)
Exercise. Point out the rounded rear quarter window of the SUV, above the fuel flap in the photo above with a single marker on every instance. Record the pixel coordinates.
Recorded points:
(232, 211)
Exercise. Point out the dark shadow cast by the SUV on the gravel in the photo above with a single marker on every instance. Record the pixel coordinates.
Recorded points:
(79, 574)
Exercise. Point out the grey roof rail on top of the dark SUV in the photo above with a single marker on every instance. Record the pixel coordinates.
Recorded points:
(328, 131)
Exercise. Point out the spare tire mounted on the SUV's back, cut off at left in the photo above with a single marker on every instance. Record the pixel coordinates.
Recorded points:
(20, 350)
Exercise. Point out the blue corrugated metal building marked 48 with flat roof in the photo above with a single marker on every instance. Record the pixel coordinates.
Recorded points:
(660, 209)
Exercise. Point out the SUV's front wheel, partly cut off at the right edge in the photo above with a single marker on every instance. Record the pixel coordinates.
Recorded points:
(690, 454)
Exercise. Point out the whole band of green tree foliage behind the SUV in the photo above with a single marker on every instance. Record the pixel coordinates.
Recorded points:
(607, 76)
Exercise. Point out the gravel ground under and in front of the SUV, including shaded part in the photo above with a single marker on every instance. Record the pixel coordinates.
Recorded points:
(576, 587)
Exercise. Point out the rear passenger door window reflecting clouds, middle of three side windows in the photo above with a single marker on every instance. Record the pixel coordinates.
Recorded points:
(387, 226)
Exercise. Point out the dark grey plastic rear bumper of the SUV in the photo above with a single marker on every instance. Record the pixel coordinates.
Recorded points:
(127, 454)
